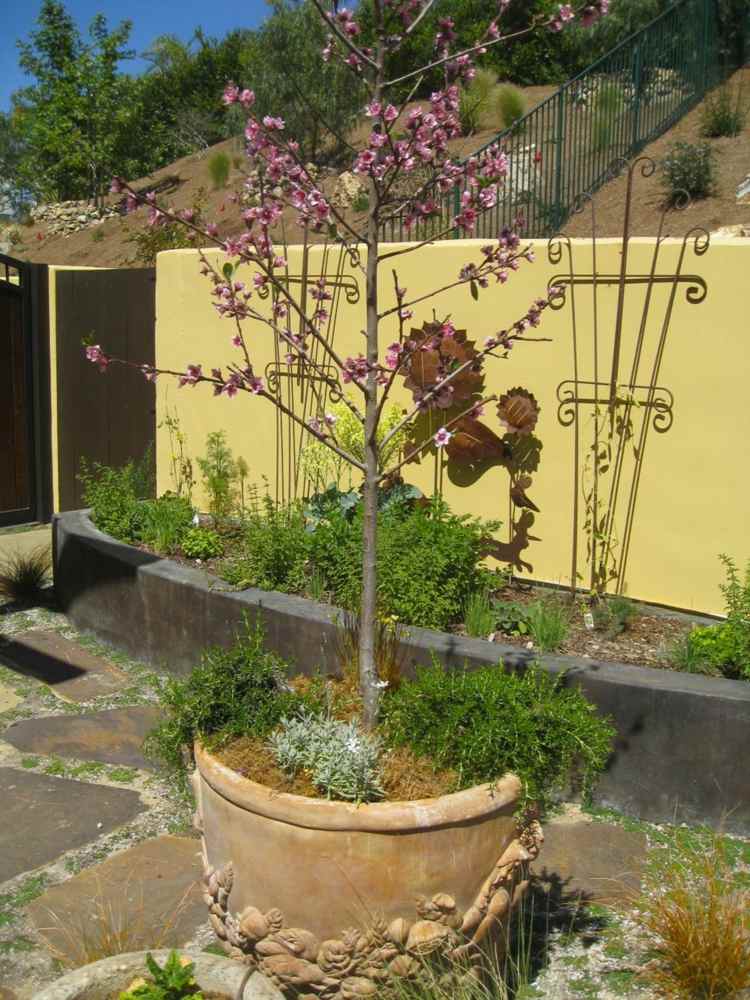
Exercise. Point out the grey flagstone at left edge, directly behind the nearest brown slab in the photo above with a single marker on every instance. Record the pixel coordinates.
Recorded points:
(43, 817)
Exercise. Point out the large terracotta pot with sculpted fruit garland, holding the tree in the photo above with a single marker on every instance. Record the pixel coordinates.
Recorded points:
(331, 897)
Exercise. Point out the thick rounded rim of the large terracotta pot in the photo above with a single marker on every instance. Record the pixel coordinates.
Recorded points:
(468, 806)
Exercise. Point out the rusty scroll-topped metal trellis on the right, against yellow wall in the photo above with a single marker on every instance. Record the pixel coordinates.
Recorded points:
(625, 398)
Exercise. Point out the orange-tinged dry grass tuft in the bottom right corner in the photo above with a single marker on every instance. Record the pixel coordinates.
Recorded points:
(699, 917)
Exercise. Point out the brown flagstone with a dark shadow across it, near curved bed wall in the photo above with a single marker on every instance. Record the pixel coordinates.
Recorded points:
(71, 671)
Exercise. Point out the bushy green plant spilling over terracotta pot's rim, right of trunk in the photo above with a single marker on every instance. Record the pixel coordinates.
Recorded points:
(485, 722)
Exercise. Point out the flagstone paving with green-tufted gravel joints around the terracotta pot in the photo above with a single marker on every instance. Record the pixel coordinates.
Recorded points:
(78, 855)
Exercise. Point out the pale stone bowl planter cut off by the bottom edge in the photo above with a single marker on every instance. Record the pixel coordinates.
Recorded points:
(106, 979)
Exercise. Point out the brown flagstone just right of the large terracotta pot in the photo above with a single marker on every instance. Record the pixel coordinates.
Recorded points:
(594, 862)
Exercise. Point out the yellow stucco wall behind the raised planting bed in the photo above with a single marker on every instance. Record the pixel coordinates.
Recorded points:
(692, 502)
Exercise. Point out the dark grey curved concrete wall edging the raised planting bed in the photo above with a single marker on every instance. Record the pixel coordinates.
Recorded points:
(682, 739)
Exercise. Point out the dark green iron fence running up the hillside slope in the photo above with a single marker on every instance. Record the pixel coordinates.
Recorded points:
(568, 145)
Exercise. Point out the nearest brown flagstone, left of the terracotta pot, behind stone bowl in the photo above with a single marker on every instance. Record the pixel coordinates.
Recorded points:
(151, 890)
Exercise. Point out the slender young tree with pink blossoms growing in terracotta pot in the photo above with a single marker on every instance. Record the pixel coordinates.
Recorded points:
(404, 174)
